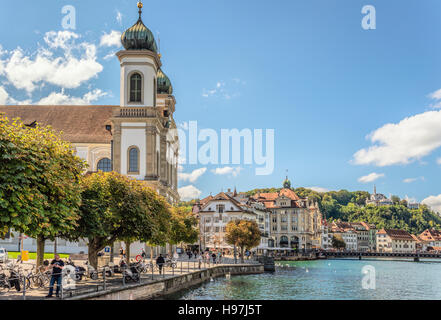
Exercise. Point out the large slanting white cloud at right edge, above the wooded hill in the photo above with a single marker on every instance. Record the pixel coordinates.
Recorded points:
(402, 143)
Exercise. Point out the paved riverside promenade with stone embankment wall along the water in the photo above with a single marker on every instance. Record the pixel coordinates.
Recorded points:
(187, 273)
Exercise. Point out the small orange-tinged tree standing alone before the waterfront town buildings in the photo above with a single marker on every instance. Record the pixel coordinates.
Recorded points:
(244, 234)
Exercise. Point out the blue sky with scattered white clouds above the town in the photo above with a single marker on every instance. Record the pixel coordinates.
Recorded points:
(349, 107)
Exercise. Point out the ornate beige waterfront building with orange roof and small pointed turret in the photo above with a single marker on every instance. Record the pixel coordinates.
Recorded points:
(295, 223)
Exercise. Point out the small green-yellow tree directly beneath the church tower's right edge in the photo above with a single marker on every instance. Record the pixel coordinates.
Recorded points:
(183, 226)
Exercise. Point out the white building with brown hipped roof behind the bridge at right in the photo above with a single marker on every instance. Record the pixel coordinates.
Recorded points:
(395, 241)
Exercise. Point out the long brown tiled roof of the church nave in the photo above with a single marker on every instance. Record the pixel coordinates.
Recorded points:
(79, 124)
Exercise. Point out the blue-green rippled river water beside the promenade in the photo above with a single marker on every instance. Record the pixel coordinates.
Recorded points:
(329, 279)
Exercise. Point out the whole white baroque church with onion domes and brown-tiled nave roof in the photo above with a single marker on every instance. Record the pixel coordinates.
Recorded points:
(138, 137)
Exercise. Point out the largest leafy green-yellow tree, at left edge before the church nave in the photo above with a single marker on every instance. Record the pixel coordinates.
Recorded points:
(39, 182)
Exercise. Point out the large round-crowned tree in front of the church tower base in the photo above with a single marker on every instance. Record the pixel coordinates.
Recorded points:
(114, 208)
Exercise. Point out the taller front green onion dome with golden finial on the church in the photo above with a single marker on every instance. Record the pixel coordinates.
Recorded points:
(138, 36)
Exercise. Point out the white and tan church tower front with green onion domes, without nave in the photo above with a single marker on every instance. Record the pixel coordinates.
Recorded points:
(145, 146)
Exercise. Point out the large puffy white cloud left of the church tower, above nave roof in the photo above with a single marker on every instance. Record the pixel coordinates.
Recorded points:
(76, 64)
